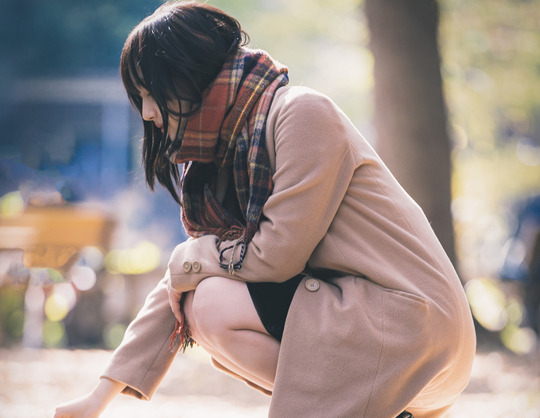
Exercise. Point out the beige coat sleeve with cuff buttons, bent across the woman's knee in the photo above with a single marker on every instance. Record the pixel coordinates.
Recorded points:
(313, 168)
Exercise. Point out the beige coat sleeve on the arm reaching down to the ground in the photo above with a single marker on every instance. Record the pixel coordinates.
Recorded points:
(143, 357)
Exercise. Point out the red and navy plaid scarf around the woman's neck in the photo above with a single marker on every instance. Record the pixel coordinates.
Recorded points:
(229, 131)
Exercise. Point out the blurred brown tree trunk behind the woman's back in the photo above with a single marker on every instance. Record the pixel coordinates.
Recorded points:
(410, 114)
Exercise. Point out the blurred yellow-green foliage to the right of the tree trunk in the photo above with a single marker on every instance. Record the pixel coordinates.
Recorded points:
(491, 68)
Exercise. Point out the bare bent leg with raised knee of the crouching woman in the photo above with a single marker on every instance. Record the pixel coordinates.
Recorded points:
(224, 322)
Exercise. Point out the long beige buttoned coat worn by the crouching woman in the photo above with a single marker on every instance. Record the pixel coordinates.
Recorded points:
(392, 331)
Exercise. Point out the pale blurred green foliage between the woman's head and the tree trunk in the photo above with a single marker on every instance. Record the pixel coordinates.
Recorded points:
(323, 42)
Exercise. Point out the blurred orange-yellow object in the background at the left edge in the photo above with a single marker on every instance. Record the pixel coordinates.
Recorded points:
(53, 236)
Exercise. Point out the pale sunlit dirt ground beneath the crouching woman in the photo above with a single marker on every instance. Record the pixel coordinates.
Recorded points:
(32, 382)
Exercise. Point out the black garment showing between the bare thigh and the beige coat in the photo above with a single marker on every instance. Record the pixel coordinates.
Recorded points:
(272, 301)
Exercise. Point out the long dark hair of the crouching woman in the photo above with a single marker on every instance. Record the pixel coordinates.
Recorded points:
(175, 54)
